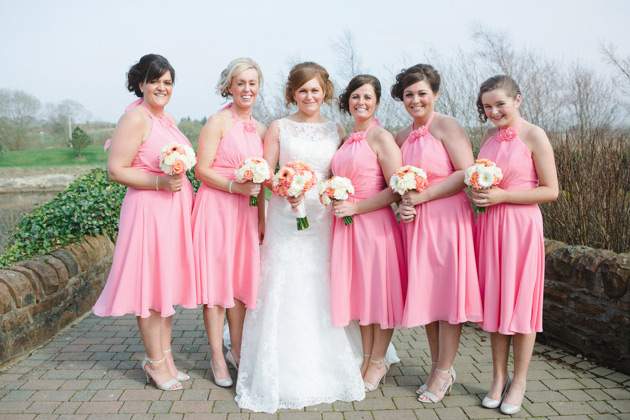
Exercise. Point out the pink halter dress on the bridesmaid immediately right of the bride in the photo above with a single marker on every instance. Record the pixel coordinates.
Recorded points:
(368, 273)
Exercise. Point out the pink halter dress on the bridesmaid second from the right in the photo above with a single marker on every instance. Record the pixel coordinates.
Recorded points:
(439, 243)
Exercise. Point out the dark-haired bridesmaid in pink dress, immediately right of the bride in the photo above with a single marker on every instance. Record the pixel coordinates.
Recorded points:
(368, 275)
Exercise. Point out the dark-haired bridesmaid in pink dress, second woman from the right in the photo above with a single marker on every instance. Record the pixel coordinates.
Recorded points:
(443, 290)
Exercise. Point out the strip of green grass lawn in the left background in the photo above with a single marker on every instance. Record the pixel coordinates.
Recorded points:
(90, 156)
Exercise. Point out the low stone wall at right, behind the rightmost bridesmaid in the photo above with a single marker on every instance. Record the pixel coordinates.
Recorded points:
(587, 303)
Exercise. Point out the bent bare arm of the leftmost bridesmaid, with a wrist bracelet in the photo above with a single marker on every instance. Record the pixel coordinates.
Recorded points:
(132, 129)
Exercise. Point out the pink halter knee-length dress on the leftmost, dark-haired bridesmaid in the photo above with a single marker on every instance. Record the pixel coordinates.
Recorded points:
(153, 266)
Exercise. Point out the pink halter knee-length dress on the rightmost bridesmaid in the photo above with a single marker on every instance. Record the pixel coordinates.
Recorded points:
(510, 247)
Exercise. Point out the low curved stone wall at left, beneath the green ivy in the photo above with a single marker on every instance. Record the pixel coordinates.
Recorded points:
(39, 297)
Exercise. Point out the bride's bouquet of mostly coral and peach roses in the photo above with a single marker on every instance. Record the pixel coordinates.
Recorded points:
(292, 180)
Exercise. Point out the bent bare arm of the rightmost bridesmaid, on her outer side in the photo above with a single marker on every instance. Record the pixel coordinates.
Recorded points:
(544, 162)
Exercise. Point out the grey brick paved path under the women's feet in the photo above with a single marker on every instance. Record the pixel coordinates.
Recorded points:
(92, 371)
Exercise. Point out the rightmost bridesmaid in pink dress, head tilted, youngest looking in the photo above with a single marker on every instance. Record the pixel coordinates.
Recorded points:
(510, 249)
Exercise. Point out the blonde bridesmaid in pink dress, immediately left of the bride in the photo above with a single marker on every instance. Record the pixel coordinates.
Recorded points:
(227, 231)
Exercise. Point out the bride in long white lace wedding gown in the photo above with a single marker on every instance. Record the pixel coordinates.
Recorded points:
(291, 354)
